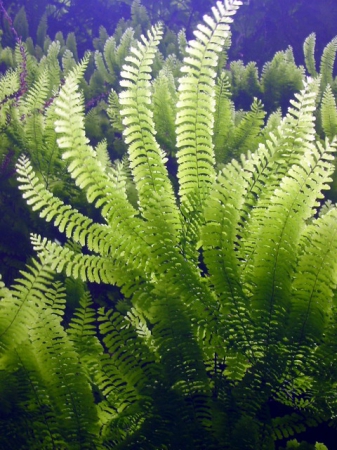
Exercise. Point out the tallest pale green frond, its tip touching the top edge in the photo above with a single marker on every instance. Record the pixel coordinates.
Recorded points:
(196, 103)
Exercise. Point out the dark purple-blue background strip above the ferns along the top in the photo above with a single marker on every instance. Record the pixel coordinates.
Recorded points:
(261, 27)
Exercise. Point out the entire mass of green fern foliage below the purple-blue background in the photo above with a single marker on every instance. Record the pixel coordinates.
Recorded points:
(213, 236)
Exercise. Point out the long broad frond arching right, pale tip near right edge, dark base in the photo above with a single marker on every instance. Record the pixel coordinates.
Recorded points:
(283, 222)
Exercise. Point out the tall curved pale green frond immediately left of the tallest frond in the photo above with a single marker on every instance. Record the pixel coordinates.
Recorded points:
(147, 159)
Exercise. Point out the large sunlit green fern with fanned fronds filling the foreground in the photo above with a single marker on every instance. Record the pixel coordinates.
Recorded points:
(227, 292)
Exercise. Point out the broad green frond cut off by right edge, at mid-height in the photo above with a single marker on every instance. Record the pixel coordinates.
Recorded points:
(313, 287)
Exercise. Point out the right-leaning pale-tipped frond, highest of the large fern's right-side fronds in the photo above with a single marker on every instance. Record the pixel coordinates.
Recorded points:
(272, 160)
